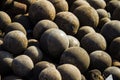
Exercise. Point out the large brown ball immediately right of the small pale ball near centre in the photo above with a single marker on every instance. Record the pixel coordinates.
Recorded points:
(93, 41)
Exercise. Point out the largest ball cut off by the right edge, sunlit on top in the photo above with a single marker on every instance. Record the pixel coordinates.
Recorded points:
(111, 30)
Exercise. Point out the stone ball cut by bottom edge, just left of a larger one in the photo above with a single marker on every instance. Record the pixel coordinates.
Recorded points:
(50, 74)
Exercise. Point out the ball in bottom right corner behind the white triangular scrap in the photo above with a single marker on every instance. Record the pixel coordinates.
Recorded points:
(114, 71)
